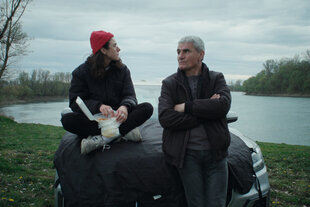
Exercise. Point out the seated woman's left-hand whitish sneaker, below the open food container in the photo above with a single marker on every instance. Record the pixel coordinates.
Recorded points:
(94, 142)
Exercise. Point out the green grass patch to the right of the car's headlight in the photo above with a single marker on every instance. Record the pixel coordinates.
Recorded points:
(288, 169)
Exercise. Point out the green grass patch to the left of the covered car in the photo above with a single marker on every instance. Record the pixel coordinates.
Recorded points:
(26, 163)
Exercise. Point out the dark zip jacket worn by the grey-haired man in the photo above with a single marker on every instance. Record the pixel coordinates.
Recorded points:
(203, 110)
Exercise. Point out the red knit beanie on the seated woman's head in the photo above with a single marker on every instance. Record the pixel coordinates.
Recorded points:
(98, 39)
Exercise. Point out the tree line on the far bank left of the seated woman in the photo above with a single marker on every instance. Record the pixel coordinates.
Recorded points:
(38, 84)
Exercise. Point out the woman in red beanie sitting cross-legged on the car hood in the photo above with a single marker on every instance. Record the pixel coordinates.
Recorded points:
(104, 83)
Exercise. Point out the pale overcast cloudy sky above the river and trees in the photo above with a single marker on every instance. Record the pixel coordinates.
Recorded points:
(239, 35)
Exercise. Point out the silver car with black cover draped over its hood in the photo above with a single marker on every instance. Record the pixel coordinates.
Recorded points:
(137, 173)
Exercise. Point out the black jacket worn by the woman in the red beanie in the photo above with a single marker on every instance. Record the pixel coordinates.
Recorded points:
(115, 89)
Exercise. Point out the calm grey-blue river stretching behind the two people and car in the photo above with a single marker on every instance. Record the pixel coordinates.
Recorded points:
(262, 118)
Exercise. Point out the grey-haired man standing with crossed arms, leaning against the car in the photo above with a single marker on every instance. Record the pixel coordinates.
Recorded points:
(192, 110)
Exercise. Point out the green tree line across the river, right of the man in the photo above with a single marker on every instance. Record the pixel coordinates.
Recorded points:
(288, 76)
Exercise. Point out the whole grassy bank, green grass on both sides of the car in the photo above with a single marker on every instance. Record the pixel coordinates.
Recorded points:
(27, 173)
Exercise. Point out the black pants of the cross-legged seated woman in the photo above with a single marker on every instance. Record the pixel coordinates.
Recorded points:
(79, 124)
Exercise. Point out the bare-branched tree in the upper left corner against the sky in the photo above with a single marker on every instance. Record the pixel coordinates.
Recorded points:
(13, 41)
